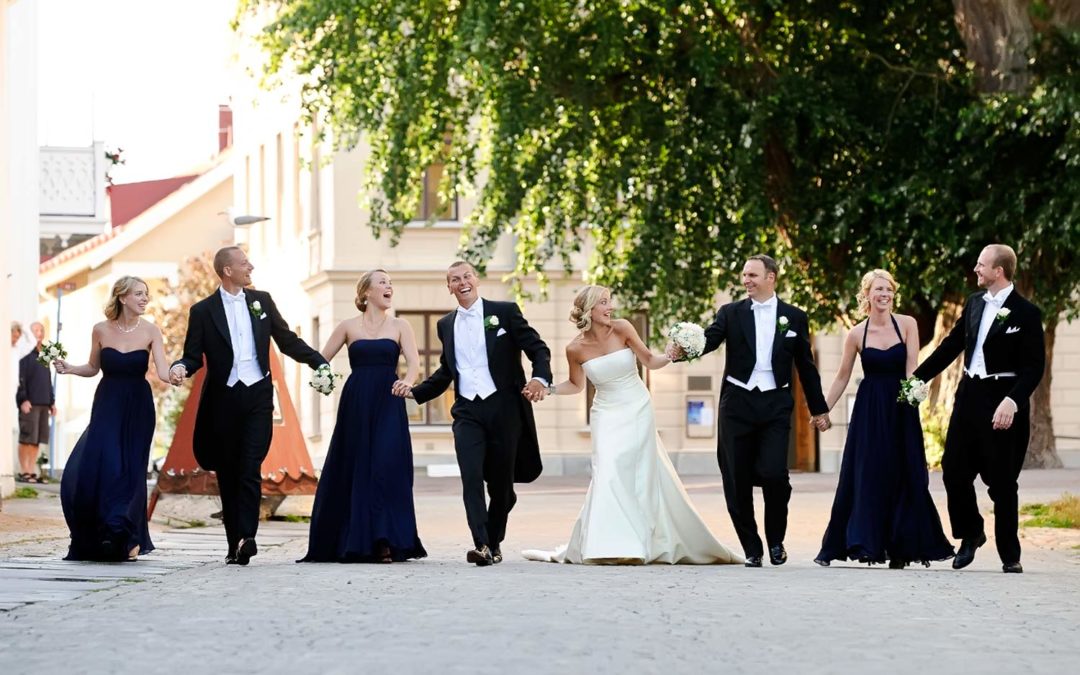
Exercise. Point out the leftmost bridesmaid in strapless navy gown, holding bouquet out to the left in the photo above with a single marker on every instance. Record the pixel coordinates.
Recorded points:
(103, 491)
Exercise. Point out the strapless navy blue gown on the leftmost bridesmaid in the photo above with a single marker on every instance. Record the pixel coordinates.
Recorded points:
(103, 491)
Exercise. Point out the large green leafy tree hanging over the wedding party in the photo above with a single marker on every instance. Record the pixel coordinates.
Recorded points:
(677, 138)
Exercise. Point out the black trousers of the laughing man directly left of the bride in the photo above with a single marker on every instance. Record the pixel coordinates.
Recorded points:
(487, 434)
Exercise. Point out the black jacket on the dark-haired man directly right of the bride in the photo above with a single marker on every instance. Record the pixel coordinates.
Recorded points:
(735, 323)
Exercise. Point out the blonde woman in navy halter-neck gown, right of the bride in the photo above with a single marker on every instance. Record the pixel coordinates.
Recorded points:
(883, 510)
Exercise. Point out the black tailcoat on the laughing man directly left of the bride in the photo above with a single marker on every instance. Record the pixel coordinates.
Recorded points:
(505, 364)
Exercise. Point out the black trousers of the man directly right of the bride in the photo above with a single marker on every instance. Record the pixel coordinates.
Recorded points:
(753, 451)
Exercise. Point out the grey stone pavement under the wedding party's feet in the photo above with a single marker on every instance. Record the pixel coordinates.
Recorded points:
(441, 615)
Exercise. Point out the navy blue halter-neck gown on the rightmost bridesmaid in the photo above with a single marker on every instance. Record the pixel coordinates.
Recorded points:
(883, 510)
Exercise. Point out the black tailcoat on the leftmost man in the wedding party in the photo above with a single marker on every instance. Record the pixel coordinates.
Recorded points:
(209, 336)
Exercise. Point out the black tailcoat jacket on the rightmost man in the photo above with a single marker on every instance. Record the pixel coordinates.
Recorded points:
(1014, 345)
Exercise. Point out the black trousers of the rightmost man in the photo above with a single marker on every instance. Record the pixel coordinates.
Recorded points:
(974, 449)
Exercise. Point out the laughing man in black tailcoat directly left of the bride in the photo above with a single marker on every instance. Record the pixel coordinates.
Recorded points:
(495, 435)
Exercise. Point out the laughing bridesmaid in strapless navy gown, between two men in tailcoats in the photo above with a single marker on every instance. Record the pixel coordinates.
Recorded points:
(364, 510)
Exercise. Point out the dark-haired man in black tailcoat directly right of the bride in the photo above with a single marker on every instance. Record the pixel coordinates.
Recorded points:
(764, 337)
